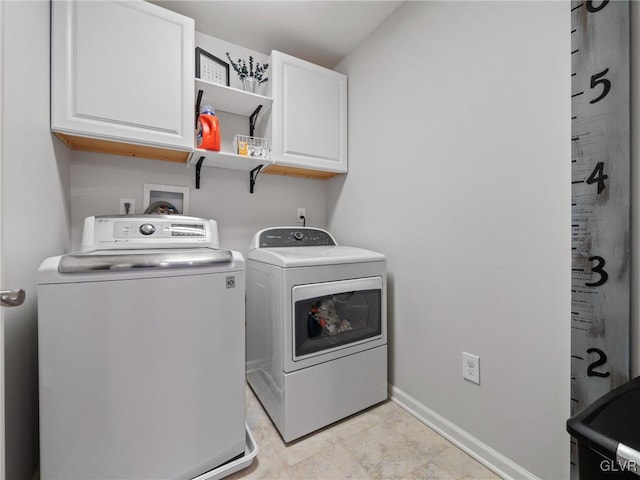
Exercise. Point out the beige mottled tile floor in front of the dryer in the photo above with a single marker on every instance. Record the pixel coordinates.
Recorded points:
(384, 442)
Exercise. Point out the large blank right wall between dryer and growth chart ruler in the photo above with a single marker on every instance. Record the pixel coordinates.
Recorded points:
(459, 170)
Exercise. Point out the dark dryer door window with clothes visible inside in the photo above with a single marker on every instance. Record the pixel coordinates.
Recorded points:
(334, 320)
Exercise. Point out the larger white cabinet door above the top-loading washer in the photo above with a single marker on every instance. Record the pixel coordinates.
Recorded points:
(122, 71)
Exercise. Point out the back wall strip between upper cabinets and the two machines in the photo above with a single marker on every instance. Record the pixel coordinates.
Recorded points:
(99, 181)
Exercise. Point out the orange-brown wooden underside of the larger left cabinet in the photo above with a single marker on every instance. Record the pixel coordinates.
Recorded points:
(124, 149)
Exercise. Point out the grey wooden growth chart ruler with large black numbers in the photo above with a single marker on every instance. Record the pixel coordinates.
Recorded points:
(600, 174)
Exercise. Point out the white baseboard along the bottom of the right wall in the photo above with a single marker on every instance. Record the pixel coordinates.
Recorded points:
(482, 452)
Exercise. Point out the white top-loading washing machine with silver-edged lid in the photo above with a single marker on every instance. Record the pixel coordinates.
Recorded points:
(141, 352)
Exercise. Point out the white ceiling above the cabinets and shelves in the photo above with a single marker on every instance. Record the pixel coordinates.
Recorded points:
(322, 32)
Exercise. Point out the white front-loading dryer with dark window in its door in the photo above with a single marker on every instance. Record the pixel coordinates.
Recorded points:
(316, 328)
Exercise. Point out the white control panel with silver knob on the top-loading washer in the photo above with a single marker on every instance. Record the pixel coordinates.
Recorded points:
(148, 231)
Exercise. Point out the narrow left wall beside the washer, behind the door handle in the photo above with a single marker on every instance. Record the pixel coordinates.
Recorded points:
(35, 224)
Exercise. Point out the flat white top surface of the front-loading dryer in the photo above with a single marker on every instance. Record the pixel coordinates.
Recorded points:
(313, 256)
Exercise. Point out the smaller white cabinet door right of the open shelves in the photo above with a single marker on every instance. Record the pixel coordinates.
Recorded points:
(309, 115)
